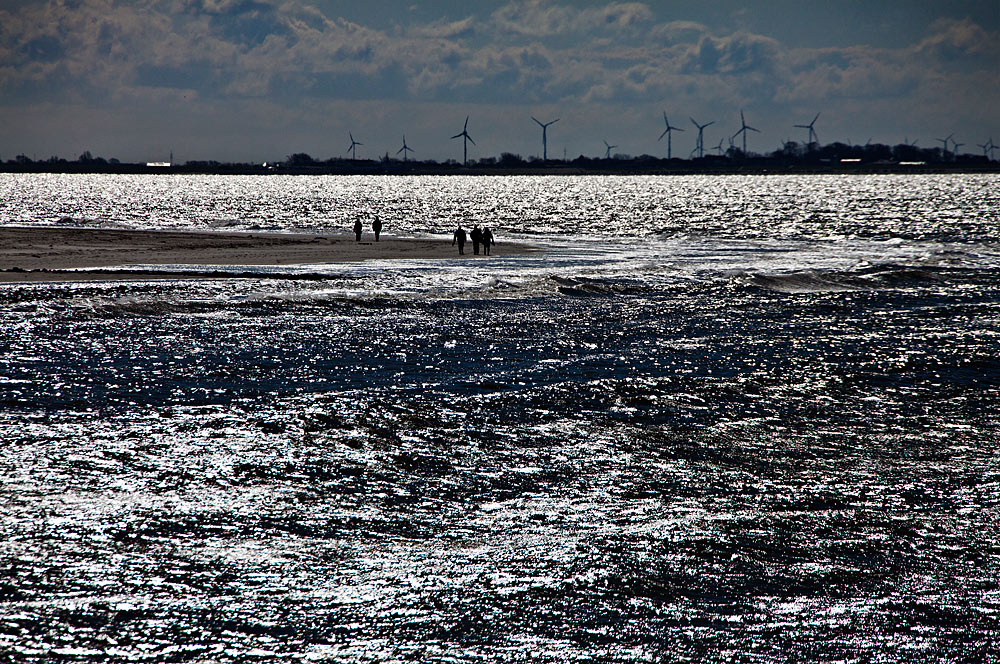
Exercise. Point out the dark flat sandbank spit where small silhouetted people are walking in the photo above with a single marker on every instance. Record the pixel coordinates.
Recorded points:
(31, 254)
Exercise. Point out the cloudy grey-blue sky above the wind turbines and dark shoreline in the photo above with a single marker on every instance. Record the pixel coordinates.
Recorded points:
(258, 80)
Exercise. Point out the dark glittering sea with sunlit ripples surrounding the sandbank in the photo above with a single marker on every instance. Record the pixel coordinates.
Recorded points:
(707, 419)
